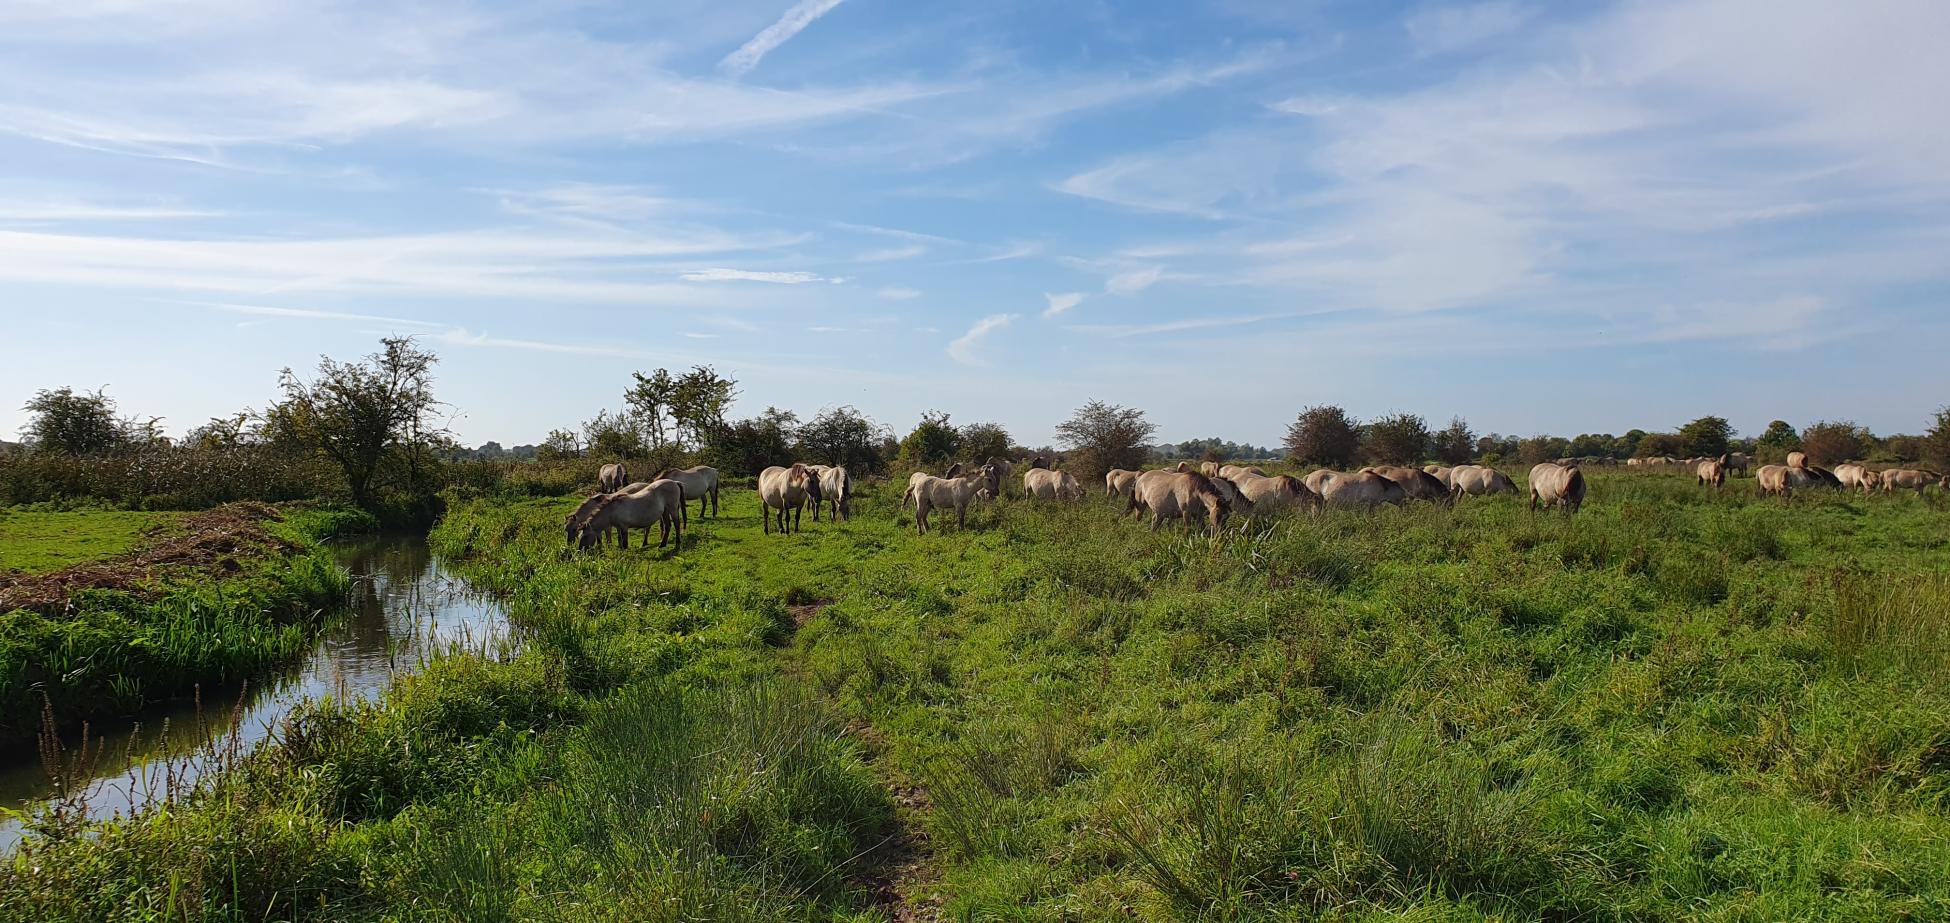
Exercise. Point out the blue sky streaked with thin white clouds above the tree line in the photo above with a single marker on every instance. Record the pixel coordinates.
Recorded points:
(1541, 218)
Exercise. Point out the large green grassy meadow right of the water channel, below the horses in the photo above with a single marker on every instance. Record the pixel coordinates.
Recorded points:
(1672, 707)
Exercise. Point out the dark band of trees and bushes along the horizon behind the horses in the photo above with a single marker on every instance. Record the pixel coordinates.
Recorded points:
(373, 432)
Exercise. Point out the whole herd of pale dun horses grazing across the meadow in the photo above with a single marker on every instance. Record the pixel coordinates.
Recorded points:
(1206, 495)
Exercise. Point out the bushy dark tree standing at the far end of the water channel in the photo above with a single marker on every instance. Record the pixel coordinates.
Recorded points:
(356, 415)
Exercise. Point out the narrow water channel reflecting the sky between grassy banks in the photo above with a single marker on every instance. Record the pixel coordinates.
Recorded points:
(405, 610)
